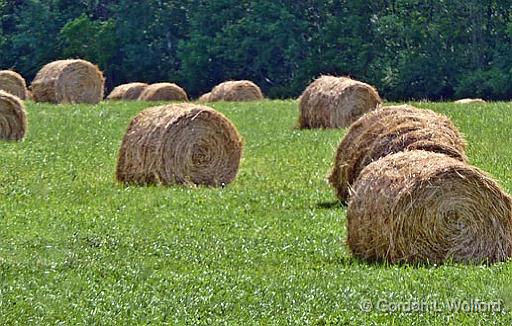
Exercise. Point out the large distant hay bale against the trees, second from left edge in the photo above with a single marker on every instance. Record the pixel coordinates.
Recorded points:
(69, 81)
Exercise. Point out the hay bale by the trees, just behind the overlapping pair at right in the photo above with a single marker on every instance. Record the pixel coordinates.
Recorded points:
(335, 102)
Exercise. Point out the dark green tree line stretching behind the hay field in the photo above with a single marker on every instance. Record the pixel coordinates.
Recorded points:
(408, 49)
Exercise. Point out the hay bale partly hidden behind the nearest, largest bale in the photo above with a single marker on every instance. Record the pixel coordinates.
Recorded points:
(390, 130)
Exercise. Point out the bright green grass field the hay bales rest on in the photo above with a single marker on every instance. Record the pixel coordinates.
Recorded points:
(78, 248)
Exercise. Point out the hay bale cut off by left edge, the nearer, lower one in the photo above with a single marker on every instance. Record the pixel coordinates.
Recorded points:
(13, 118)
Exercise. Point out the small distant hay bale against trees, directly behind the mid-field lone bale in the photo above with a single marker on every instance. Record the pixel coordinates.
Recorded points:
(236, 91)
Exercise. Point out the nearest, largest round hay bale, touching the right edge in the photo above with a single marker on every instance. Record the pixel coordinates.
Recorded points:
(424, 207)
